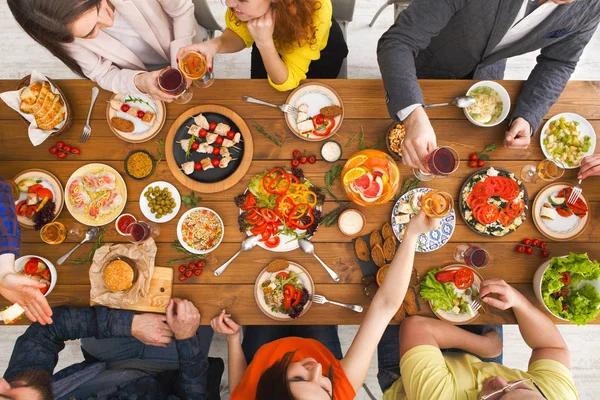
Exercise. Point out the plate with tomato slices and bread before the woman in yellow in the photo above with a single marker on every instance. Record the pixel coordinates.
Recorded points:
(320, 112)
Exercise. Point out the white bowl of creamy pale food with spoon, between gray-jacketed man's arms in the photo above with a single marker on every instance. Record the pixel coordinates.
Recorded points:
(492, 104)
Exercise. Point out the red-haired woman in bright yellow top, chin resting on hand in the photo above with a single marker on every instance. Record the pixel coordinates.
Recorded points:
(291, 40)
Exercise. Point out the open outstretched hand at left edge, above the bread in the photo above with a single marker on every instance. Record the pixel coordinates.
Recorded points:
(24, 291)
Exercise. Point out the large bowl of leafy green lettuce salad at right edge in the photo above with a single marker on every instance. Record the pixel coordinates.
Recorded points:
(569, 288)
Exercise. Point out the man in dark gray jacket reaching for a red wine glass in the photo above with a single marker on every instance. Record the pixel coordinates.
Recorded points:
(471, 39)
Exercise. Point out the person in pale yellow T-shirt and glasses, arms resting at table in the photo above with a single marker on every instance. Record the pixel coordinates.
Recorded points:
(427, 373)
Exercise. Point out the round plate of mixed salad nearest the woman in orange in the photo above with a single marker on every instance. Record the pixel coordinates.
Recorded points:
(282, 290)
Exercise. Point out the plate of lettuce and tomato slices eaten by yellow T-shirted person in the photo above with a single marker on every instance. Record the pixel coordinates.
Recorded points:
(450, 292)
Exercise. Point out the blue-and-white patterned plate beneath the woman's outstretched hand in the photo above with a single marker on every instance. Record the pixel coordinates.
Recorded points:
(407, 206)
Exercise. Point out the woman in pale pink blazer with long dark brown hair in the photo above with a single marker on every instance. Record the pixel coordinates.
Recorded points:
(120, 44)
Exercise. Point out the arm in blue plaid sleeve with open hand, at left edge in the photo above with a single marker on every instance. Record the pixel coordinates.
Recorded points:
(14, 287)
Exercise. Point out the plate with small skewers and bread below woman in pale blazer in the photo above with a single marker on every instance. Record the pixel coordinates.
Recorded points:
(135, 118)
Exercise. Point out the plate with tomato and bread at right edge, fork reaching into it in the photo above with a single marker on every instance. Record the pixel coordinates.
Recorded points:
(555, 218)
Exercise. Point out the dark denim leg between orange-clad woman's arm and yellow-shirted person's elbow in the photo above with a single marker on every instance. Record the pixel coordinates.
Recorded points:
(388, 357)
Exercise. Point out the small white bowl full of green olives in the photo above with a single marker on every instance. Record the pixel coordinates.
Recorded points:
(160, 201)
